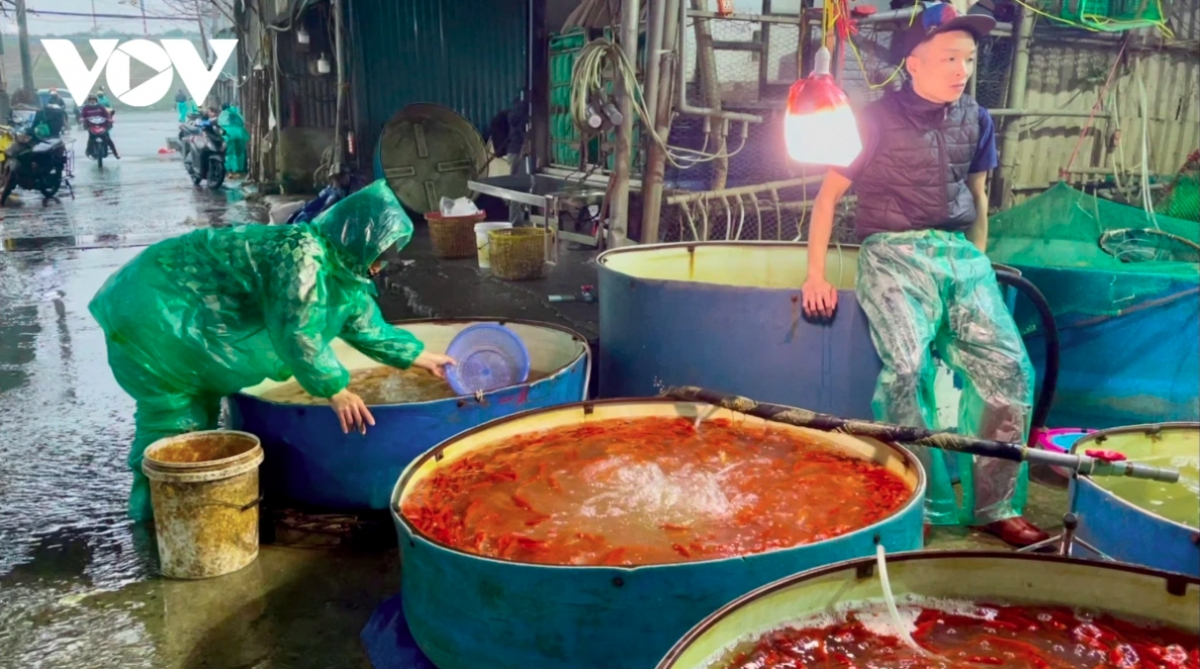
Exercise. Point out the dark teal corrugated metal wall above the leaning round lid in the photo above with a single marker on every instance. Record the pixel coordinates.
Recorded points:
(467, 56)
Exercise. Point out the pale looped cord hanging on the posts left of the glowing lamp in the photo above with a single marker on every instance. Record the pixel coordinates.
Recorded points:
(587, 83)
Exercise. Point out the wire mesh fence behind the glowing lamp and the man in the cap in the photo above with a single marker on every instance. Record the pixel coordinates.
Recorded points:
(751, 68)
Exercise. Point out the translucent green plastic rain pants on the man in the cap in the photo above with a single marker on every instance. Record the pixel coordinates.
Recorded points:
(933, 293)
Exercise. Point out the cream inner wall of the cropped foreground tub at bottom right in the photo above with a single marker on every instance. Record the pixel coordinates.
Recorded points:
(991, 577)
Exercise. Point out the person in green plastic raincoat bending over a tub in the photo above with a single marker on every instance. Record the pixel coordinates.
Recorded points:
(203, 316)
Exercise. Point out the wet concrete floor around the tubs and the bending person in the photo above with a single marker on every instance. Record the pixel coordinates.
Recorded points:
(79, 584)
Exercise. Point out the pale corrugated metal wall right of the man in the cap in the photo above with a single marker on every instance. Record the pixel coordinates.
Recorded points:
(1069, 75)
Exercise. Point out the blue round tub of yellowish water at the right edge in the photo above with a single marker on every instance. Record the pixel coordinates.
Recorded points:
(1121, 528)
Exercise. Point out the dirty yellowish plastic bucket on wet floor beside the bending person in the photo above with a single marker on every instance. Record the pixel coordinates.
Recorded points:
(205, 490)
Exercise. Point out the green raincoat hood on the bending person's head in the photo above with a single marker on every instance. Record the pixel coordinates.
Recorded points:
(365, 225)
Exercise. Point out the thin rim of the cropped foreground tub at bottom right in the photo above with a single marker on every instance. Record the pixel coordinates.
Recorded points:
(863, 565)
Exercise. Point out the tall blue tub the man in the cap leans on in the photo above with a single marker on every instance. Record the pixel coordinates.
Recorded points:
(729, 316)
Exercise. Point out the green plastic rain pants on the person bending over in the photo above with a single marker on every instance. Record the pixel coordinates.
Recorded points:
(163, 412)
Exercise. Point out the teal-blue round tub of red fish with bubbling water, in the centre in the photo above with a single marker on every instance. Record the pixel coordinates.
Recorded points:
(471, 612)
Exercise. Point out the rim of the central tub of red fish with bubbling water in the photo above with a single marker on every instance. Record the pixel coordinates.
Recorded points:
(917, 498)
